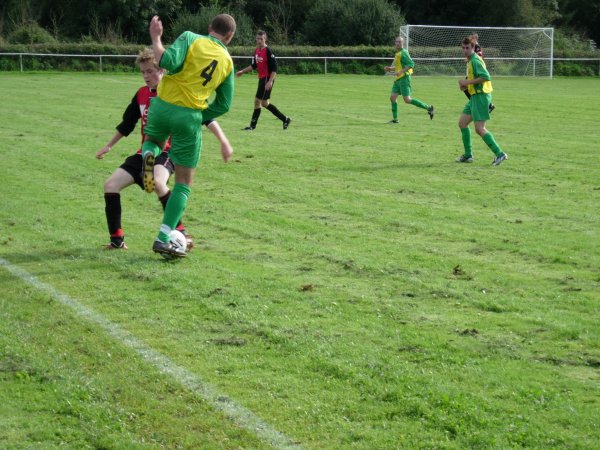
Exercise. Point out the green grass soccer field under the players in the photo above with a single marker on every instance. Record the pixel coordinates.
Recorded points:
(352, 286)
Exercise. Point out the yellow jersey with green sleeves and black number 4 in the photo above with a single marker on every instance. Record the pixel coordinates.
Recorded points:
(197, 66)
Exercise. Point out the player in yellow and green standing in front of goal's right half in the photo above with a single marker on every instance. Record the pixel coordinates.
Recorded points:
(479, 85)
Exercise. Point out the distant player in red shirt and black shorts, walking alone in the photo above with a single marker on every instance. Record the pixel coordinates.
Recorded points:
(265, 63)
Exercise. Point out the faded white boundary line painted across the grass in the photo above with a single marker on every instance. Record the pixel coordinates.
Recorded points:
(241, 416)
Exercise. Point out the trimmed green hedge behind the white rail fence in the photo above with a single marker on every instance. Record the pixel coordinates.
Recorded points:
(243, 55)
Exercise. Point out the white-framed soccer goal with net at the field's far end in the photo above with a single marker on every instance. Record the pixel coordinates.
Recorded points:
(507, 51)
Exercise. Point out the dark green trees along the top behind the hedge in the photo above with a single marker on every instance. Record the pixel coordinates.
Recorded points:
(288, 22)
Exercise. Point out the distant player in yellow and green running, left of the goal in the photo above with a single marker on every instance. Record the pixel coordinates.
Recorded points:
(403, 69)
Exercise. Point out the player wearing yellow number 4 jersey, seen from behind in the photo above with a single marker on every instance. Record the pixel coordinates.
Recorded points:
(197, 66)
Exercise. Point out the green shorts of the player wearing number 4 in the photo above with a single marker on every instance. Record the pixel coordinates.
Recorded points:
(184, 125)
